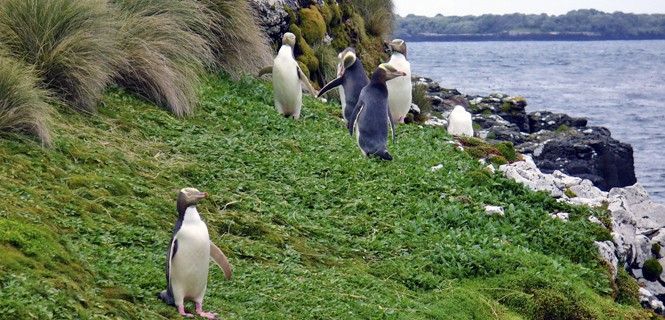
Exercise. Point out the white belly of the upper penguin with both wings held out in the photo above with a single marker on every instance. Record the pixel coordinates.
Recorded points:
(288, 91)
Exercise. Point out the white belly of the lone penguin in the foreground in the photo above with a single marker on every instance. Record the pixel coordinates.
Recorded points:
(189, 267)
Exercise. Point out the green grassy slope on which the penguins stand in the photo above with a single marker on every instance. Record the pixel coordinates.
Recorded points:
(313, 229)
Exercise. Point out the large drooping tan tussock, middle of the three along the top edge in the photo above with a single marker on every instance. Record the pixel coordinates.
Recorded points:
(165, 50)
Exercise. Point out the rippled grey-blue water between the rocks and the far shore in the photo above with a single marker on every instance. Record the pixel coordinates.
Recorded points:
(616, 84)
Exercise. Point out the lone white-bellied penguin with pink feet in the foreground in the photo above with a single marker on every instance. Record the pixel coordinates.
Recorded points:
(188, 256)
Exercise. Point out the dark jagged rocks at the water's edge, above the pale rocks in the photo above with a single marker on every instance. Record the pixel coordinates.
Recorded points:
(556, 141)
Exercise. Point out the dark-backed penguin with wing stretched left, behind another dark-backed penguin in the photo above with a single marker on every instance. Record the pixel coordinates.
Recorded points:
(351, 77)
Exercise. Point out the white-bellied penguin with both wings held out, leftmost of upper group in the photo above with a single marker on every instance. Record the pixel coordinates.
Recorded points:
(288, 79)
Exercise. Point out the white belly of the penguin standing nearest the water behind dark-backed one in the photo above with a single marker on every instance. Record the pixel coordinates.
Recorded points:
(399, 90)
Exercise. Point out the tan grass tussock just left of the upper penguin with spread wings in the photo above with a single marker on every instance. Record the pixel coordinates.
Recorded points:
(238, 42)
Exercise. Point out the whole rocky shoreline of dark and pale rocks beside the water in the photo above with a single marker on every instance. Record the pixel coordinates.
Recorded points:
(577, 164)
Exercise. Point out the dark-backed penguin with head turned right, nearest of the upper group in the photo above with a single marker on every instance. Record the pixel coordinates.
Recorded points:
(371, 117)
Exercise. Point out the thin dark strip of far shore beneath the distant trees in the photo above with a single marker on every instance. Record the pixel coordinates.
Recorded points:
(524, 37)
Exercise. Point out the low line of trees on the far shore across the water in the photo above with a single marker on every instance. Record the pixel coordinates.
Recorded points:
(583, 22)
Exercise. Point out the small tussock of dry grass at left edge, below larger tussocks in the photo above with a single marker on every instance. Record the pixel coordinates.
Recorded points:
(22, 103)
